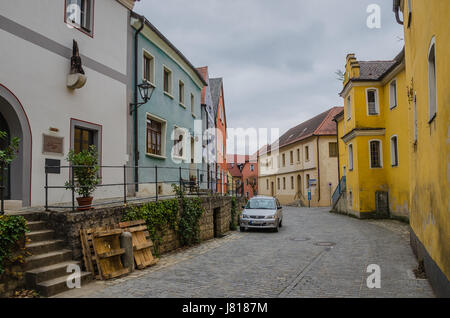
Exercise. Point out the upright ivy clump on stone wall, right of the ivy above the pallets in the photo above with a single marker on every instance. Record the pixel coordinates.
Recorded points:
(188, 223)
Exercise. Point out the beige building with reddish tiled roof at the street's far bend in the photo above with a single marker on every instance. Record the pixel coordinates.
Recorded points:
(304, 159)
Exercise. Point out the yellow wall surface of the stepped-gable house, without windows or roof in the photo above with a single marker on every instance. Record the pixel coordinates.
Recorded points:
(364, 181)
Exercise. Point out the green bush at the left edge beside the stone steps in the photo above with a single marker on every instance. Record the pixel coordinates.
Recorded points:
(12, 237)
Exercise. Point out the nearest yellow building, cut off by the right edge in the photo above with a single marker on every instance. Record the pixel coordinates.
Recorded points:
(427, 53)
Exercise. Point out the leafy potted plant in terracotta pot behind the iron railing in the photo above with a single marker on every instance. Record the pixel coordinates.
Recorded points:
(85, 173)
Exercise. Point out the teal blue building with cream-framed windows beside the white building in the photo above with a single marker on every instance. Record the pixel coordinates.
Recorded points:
(169, 126)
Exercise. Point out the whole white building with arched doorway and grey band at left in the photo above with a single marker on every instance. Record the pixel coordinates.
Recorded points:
(36, 104)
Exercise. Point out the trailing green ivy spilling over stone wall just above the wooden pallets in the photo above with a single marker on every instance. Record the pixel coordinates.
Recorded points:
(159, 216)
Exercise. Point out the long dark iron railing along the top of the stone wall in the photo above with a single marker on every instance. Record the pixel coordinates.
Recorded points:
(194, 181)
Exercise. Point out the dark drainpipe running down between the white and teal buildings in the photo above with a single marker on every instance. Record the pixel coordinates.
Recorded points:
(136, 147)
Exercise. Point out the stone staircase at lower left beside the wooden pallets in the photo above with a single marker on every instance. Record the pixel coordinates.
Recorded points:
(46, 267)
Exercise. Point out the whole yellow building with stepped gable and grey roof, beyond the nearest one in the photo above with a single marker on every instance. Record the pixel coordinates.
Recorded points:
(373, 141)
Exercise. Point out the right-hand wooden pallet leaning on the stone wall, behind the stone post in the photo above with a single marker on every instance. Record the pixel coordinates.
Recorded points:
(141, 243)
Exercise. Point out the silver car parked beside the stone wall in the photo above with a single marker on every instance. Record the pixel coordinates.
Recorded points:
(262, 212)
